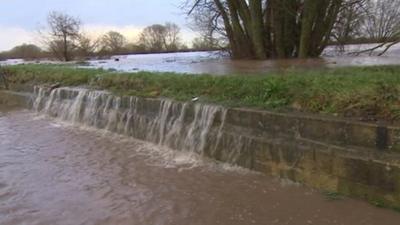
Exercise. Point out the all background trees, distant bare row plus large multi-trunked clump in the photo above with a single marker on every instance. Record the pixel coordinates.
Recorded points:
(254, 29)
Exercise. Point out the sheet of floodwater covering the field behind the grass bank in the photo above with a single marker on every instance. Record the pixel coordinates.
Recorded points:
(219, 62)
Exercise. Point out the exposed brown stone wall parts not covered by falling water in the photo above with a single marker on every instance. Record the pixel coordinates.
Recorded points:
(353, 158)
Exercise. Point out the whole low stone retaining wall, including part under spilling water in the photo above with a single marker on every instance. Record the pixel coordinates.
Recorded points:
(352, 158)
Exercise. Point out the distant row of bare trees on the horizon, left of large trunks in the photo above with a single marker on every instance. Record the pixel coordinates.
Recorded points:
(64, 40)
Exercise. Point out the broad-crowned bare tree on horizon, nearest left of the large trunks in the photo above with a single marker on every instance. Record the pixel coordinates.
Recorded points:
(159, 37)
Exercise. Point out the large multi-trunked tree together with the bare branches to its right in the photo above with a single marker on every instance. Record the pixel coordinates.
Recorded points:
(261, 29)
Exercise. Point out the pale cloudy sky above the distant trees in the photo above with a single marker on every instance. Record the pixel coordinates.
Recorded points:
(20, 19)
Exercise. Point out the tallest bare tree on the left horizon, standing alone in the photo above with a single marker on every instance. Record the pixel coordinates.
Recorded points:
(63, 34)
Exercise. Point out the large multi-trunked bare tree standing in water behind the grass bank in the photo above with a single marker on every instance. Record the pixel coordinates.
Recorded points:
(260, 29)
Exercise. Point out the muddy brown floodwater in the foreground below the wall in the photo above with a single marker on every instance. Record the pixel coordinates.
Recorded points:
(59, 174)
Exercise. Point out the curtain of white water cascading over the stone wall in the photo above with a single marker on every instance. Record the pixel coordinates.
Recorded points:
(181, 126)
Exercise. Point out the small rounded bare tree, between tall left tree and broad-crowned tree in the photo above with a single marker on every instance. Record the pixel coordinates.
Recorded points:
(113, 42)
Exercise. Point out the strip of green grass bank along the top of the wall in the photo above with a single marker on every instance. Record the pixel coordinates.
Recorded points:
(366, 93)
